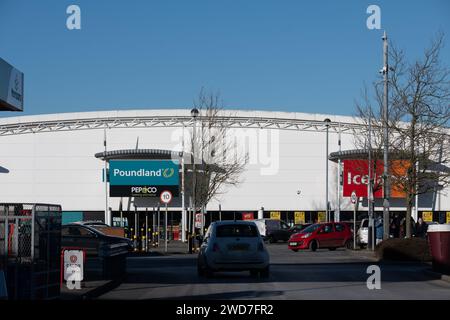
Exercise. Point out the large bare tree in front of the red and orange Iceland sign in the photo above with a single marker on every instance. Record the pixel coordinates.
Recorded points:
(419, 115)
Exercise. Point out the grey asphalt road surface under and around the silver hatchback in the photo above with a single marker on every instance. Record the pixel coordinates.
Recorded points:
(324, 274)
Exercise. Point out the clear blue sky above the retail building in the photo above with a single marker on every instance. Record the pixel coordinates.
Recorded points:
(304, 56)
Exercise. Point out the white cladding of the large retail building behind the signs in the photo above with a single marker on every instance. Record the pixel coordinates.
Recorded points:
(60, 167)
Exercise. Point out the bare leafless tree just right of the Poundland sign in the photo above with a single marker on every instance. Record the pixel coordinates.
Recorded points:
(218, 162)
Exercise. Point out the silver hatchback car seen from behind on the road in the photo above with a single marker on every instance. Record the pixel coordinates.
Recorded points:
(233, 246)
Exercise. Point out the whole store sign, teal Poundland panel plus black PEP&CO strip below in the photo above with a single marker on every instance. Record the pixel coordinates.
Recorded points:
(143, 178)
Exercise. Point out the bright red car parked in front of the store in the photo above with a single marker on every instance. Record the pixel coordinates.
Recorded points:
(330, 235)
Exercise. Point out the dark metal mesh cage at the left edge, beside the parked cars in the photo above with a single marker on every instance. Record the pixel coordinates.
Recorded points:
(30, 245)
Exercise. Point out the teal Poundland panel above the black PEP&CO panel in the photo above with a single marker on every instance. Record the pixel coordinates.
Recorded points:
(143, 172)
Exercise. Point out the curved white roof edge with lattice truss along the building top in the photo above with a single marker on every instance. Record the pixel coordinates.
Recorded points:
(176, 118)
